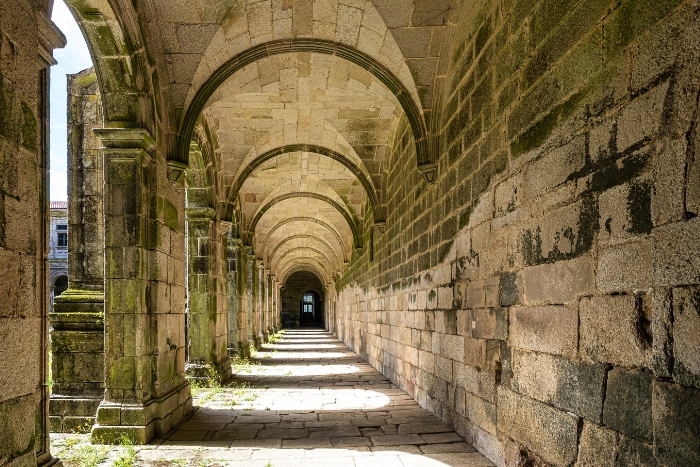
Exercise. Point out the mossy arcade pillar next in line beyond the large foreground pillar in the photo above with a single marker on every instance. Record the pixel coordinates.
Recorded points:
(207, 320)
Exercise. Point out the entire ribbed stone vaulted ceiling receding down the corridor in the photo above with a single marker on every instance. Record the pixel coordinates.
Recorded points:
(283, 110)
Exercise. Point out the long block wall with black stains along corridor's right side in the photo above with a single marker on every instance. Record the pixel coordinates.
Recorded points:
(542, 295)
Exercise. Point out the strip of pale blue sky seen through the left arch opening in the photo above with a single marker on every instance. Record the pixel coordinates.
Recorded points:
(71, 59)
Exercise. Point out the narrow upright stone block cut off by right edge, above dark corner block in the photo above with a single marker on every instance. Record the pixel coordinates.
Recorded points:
(686, 336)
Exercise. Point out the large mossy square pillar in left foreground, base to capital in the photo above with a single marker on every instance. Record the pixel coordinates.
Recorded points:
(146, 392)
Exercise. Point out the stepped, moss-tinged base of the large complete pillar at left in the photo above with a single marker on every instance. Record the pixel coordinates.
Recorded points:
(141, 422)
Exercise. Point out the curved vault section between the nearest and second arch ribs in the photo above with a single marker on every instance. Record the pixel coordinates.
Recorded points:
(303, 98)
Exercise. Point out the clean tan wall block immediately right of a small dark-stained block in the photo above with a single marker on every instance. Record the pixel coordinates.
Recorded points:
(560, 282)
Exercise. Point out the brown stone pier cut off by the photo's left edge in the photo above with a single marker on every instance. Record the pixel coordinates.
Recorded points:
(27, 39)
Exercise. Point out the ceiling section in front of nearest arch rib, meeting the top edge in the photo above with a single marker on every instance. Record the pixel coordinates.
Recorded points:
(238, 26)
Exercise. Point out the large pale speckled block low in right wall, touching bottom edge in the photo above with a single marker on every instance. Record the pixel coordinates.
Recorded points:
(551, 433)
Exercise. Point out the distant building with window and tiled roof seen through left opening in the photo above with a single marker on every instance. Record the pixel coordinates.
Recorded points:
(58, 249)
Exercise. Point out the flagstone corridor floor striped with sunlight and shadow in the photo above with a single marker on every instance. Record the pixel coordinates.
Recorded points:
(308, 400)
